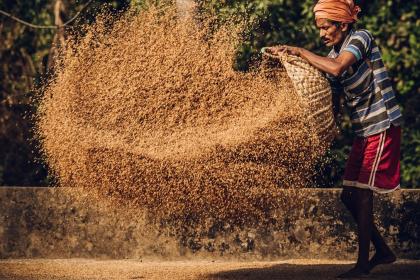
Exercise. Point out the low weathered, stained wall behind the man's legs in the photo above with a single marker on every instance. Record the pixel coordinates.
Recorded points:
(50, 223)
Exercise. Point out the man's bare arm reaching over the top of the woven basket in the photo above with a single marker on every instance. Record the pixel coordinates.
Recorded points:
(333, 66)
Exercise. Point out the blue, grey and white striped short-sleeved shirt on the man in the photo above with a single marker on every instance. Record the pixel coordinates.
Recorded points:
(368, 92)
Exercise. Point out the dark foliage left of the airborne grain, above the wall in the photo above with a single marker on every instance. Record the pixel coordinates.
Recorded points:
(23, 54)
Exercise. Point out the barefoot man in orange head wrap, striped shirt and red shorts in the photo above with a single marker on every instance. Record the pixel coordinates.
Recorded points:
(354, 66)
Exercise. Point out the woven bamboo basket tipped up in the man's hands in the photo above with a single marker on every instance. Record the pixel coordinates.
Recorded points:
(314, 91)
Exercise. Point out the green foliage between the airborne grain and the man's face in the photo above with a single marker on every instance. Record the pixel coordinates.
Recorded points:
(272, 22)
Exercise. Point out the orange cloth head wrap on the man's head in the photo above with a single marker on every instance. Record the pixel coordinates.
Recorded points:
(337, 10)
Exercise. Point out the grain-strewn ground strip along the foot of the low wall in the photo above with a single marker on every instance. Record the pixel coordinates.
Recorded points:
(81, 269)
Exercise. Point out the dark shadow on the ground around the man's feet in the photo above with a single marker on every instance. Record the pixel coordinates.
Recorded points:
(325, 271)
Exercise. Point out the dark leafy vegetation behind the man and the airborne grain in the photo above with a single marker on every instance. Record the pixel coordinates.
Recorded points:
(25, 52)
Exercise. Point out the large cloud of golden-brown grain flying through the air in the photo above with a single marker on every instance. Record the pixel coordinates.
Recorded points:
(150, 113)
